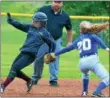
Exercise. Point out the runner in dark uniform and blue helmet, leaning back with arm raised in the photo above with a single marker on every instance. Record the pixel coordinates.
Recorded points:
(36, 36)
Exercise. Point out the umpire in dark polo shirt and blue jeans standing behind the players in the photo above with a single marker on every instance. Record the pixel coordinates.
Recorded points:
(57, 20)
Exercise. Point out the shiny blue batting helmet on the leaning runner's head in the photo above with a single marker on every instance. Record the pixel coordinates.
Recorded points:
(39, 16)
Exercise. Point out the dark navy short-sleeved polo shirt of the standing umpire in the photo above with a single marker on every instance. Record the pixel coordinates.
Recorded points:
(56, 22)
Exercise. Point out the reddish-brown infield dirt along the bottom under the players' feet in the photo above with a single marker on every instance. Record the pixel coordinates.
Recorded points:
(67, 88)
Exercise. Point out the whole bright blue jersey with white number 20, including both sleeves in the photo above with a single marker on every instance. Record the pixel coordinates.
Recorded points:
(87, 44)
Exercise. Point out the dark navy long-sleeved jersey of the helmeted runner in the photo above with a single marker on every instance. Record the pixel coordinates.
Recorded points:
(35, 37)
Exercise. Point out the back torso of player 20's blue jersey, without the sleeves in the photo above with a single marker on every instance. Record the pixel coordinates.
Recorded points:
(86, 44)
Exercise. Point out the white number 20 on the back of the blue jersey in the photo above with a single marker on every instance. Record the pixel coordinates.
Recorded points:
(84, 45)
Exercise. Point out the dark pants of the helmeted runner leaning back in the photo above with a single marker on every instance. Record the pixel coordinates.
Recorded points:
(22, 60)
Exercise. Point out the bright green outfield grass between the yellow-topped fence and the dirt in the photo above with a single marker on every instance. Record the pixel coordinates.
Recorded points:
(13, 39)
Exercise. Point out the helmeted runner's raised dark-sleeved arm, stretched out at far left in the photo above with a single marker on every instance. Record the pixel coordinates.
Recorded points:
(16, 24)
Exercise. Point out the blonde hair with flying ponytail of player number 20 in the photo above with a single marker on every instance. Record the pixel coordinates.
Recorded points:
(86, 26)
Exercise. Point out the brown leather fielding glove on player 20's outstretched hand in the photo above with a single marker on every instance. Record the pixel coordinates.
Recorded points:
(49, 58)
